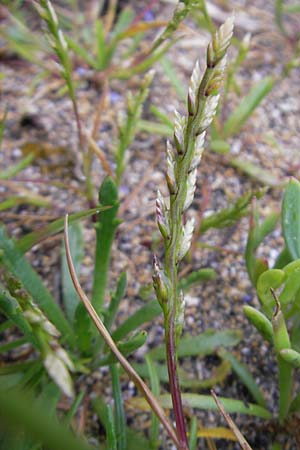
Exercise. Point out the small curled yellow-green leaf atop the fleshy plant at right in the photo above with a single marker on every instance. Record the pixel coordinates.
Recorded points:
(272, 278)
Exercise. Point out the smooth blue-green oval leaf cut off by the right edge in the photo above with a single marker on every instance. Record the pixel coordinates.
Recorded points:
(291, 218)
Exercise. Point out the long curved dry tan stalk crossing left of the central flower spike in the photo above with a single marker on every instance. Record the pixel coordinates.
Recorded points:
(139, 383)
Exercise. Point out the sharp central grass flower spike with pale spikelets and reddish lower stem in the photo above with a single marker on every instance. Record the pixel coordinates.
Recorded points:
(182, 165)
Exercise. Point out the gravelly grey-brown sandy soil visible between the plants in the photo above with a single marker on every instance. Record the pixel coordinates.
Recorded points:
(40, 120)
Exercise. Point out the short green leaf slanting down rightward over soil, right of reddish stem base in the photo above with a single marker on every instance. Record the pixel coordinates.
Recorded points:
(245, 376)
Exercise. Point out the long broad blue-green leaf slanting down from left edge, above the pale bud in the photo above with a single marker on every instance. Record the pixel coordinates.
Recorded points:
(16, 263)
